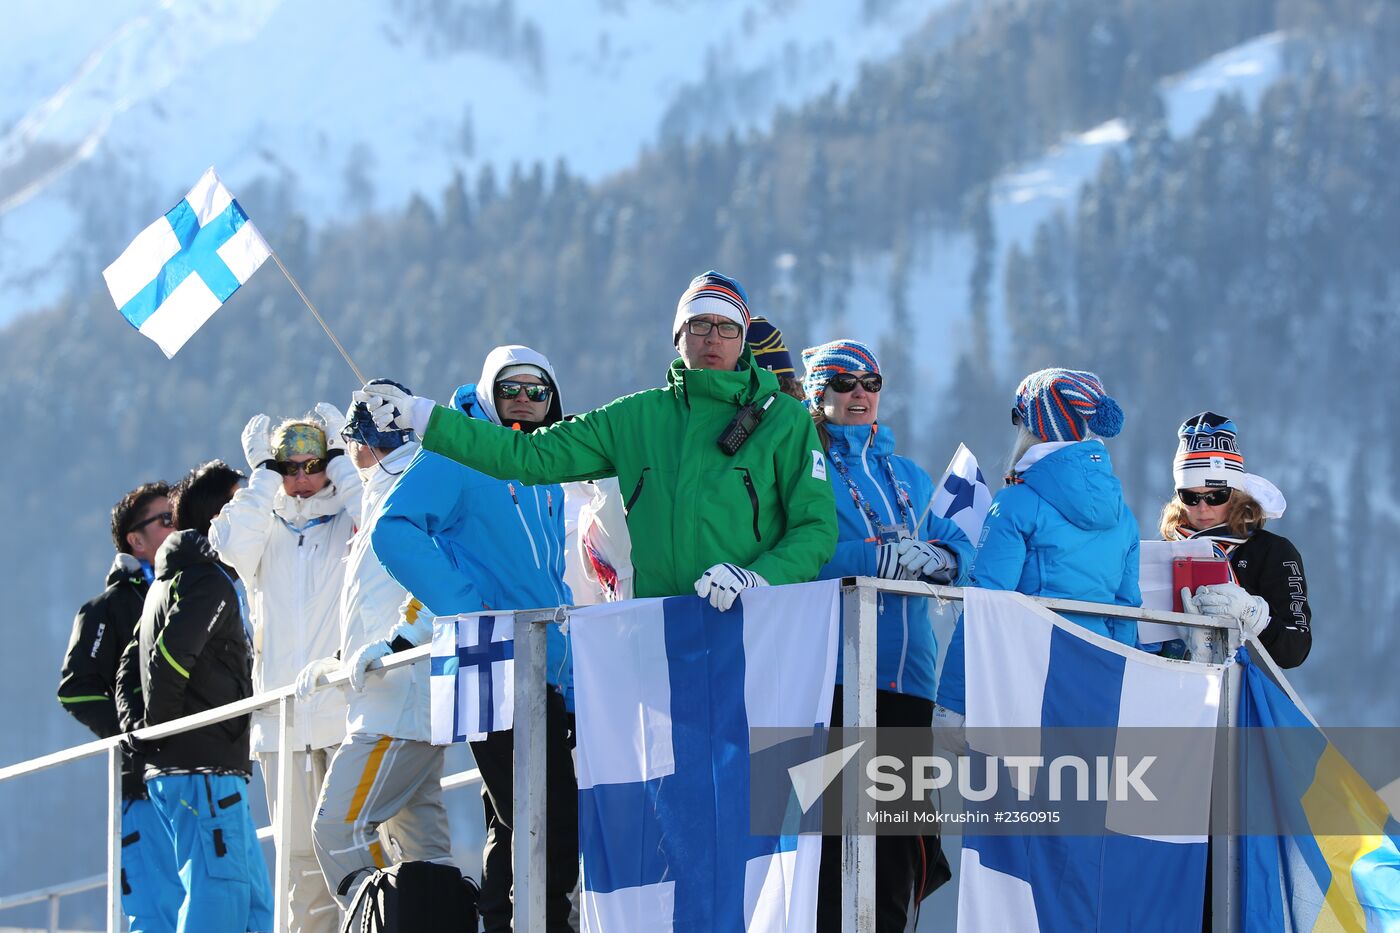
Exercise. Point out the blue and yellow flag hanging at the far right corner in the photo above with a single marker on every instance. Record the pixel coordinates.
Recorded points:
(1335, 862)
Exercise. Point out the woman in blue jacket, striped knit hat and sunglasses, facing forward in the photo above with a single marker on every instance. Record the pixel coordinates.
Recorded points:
(880, 498)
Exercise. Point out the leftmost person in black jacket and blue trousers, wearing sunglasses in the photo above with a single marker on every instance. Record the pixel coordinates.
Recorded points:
(104, 627)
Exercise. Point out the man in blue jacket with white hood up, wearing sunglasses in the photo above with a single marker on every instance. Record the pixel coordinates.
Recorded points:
(461, 541)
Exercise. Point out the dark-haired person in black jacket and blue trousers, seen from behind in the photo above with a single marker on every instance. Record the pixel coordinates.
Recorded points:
(195, 656)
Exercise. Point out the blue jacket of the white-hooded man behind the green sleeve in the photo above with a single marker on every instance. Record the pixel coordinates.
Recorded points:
(461, 541)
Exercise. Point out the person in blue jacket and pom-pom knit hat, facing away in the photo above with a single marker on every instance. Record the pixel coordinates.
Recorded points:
(1060, 527)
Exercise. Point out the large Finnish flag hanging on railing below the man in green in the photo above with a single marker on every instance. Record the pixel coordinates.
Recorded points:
(667, 693)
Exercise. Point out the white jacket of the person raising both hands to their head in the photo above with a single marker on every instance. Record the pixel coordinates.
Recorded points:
(290, 555)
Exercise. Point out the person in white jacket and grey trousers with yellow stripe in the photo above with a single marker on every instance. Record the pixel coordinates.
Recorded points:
(387, 775)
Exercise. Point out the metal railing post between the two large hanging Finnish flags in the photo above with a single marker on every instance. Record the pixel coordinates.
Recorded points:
(859, 617)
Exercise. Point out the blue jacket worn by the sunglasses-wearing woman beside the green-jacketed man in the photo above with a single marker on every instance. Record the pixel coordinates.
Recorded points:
(906, 649)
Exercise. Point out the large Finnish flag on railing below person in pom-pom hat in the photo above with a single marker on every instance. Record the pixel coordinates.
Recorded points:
(1034, 673)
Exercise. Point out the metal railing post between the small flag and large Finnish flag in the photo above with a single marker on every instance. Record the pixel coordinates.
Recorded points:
(528, 781)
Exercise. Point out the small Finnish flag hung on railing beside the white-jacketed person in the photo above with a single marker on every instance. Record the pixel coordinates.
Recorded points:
(472, 677)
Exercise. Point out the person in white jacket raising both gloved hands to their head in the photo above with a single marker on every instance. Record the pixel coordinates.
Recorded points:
(288, 534)
